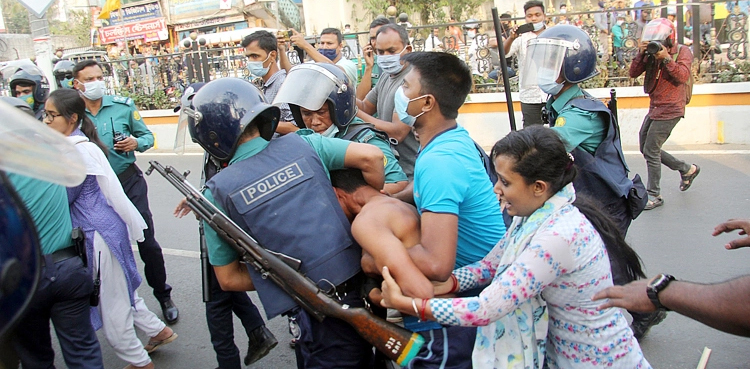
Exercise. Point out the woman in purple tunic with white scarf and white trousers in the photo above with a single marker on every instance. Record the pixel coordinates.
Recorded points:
(111, 222)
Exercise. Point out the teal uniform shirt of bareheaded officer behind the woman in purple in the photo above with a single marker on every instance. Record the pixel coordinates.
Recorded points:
(119, 114)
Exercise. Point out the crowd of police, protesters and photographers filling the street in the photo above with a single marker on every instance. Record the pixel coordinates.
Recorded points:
(494, 261)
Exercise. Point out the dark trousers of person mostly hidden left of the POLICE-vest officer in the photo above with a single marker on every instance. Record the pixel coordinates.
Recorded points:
(219, 318)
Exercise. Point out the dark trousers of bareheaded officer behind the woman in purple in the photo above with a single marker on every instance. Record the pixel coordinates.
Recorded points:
(156, 274)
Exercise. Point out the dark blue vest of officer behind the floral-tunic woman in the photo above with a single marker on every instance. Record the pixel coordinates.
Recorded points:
(603, 175)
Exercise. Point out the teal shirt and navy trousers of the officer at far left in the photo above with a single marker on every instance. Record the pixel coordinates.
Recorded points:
(64, 288)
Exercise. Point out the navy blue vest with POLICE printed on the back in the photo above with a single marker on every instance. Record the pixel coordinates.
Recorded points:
(283, 198)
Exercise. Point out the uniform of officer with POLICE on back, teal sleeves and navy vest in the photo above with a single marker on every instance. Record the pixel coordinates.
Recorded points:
(264, 190)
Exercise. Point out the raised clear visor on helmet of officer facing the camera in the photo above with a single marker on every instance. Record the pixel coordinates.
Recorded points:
(318, 84)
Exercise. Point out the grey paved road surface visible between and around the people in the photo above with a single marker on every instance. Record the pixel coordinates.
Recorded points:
(673, 239)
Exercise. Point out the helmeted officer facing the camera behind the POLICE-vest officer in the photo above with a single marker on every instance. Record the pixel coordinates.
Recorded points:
(321, 97)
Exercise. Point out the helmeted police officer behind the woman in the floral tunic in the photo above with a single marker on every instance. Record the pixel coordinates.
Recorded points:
(563, 57)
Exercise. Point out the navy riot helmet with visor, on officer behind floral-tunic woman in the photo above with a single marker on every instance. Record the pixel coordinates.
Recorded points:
(562, 49)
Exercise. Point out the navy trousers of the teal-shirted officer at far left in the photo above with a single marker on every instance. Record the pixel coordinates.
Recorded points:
(63, 297)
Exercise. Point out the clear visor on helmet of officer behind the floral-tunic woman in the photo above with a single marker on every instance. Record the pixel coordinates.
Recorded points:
(544, 59)
